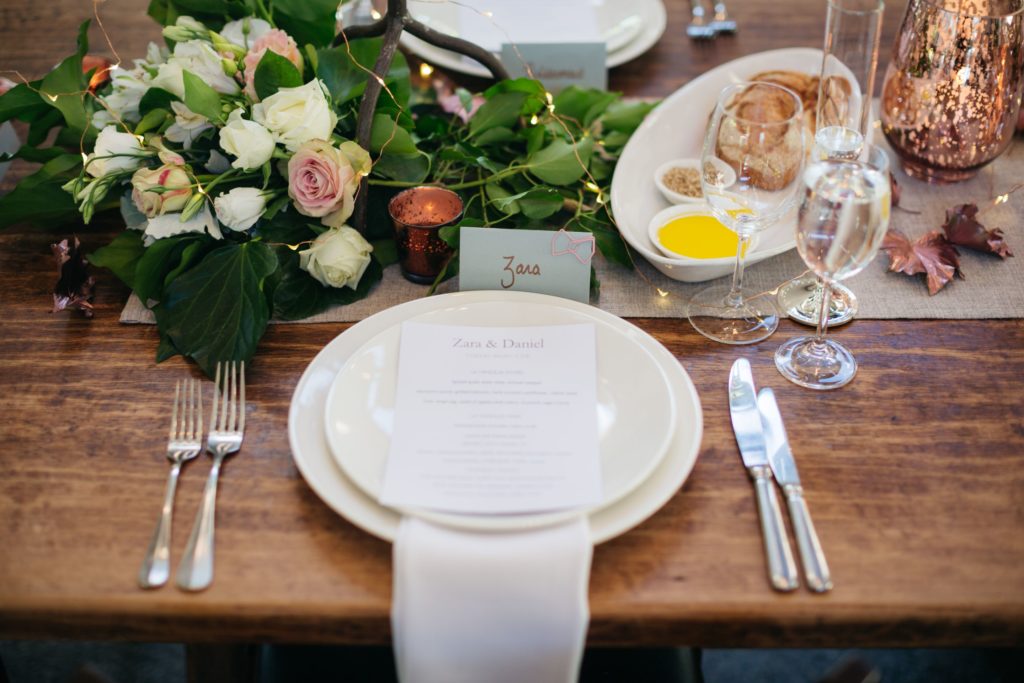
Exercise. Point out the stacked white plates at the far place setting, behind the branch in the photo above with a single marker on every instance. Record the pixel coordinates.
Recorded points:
(650, 27)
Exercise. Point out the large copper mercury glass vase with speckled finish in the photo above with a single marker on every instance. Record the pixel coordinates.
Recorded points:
(953, 90)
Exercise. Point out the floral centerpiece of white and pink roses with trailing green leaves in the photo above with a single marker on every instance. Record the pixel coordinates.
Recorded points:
(230, 154)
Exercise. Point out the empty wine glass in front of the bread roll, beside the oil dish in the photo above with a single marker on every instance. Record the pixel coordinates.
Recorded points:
(758, 130)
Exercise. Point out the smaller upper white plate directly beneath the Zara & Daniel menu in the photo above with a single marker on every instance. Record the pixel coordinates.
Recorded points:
(636, 412)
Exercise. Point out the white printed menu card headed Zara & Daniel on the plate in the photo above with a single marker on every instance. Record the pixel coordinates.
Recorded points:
(495, 420)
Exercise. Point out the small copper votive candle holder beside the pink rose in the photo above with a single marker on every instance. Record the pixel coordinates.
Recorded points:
(418, 216)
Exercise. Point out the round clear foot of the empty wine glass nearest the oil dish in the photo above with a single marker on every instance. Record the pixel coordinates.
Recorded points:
(746, 320)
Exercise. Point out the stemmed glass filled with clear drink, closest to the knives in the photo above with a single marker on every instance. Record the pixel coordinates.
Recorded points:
(842, 221)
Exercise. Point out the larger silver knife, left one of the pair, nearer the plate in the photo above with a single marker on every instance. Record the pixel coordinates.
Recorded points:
(750, 439)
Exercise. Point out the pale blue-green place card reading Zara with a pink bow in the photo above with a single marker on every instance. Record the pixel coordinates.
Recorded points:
(540, 262)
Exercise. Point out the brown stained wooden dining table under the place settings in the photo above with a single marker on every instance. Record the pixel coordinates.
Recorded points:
(915, 473)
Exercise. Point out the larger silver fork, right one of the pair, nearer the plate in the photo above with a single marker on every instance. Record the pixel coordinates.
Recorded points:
(228, 422)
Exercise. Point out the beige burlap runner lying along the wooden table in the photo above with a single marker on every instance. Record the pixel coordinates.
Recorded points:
(994, 288)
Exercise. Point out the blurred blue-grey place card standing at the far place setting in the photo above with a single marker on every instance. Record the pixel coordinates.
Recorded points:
(559, 66)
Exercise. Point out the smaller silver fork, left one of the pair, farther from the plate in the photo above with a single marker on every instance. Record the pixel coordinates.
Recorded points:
(184, 444)
